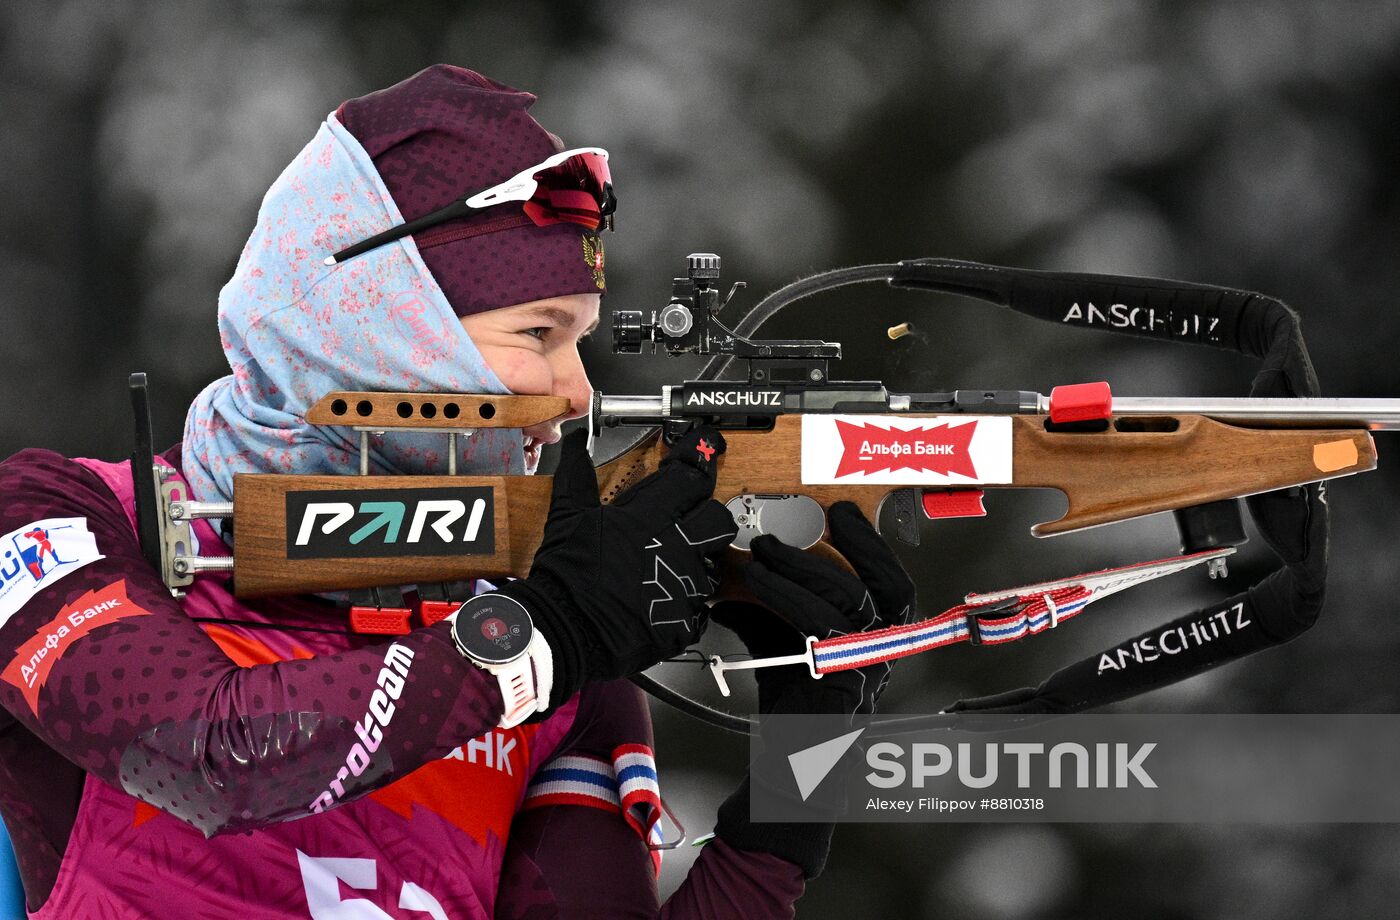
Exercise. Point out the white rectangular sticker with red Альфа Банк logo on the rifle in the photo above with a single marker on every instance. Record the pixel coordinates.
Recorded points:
(934, 450)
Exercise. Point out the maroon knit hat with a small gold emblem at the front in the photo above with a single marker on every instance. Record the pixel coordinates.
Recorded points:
(446, 134)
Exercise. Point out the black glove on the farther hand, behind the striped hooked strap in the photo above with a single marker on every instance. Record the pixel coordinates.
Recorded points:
(815, 597)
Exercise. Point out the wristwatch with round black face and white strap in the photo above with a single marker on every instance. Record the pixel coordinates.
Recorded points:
(496, 634)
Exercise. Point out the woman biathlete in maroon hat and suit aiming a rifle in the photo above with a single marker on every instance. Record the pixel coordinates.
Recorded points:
(211, 757)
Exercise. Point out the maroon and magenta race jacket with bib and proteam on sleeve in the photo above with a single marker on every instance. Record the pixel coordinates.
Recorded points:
(150, 744)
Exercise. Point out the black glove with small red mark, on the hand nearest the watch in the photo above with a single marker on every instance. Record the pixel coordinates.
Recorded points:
(617, 589)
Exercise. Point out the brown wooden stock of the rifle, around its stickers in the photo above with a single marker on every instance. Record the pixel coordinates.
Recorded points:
(1135, 467)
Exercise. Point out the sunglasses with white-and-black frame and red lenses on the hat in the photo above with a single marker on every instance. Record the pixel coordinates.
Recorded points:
(572, 187)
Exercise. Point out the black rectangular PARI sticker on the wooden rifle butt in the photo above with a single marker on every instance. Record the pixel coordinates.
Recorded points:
(369, 523)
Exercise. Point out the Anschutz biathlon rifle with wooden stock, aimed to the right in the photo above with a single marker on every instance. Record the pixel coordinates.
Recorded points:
(800, 442)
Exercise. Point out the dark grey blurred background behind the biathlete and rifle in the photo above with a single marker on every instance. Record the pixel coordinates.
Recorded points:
(1231, 144)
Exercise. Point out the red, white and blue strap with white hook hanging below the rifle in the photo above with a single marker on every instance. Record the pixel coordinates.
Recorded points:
(992, 620)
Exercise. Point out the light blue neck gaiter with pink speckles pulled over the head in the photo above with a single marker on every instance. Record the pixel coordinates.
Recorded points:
(295, 330)
